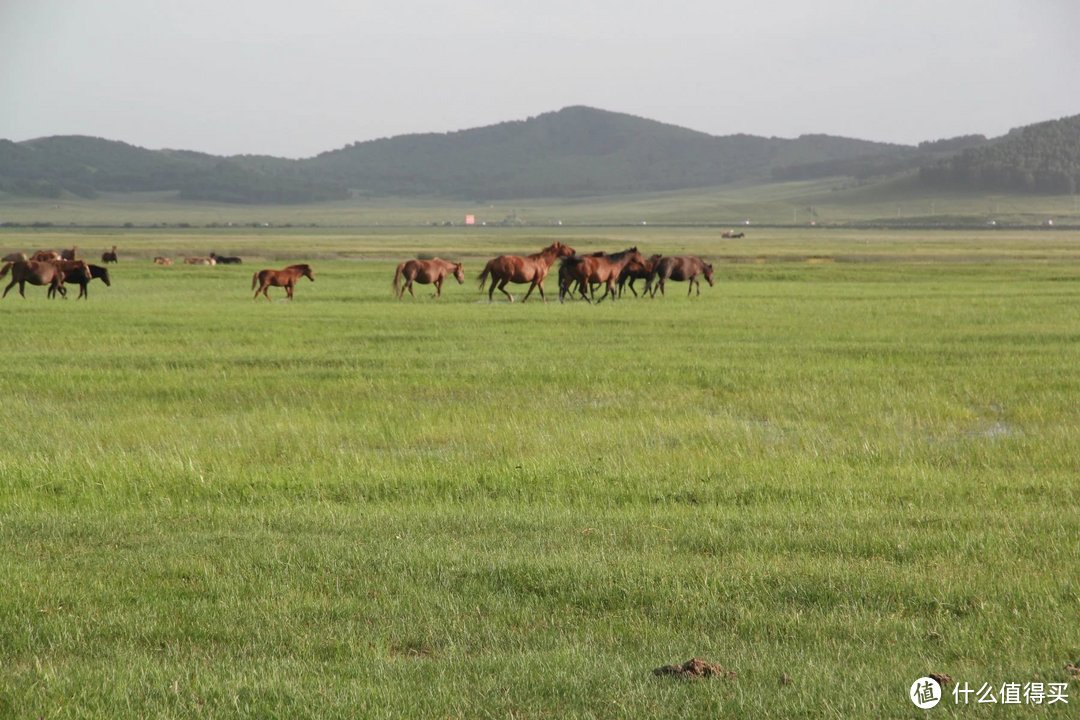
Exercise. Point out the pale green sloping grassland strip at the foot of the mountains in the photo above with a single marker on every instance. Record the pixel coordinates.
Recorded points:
(836, 202)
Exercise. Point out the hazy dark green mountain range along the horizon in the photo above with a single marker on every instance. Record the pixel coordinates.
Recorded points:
(577, 152)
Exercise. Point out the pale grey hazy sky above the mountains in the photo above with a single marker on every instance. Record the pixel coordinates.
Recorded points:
(299, 77)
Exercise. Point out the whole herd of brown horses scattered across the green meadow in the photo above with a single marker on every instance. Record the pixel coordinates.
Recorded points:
(579, 276)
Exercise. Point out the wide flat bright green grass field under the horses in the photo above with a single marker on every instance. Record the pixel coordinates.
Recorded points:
(854, 463)
